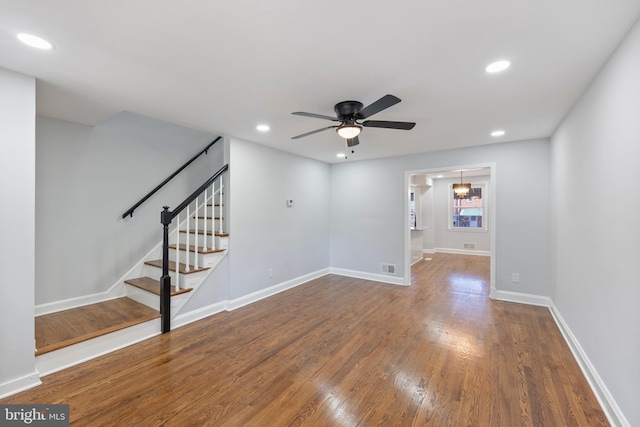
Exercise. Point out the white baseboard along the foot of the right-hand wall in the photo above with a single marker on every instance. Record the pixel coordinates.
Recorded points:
(607, 402)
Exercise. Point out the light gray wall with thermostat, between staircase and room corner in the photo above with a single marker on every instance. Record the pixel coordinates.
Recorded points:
(265, 233)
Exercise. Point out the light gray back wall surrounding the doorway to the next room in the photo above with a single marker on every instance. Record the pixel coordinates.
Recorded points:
(368, 199)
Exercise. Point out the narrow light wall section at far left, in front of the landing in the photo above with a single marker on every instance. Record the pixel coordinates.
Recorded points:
(17, 228)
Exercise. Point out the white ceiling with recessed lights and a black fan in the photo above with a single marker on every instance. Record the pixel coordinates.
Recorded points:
(225, 67)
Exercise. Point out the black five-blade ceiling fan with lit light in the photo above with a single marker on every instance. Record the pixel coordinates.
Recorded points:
(349, 114)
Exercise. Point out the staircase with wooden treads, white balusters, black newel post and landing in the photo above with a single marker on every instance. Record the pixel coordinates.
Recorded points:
(186, 257)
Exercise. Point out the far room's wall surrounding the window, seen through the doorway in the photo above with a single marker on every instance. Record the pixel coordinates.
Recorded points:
(448, 239)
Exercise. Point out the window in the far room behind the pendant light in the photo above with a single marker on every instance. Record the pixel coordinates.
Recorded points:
(468, 212)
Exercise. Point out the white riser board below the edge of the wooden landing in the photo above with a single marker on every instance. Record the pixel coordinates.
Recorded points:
(66, 357)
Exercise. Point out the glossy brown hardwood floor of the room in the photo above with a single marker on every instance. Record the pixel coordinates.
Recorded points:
(344, 352)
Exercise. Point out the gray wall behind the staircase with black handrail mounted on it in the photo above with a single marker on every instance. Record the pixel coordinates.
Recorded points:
(87, 177)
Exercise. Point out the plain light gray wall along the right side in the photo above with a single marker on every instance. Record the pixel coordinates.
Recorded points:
(595, 154)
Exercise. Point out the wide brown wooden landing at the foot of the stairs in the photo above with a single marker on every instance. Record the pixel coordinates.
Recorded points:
(65, 328)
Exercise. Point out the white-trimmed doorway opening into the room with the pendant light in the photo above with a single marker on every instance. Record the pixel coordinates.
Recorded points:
(438, 220)
